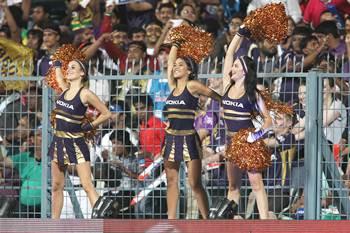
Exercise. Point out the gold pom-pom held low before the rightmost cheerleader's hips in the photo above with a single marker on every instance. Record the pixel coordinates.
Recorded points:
(248, 156)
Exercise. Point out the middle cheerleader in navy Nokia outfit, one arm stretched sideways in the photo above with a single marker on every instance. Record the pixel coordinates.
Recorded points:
(181, 141)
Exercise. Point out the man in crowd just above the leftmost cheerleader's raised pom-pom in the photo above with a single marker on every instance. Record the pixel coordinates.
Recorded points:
(51, 41)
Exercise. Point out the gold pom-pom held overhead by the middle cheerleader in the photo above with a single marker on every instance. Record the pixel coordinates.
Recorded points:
(195, 43)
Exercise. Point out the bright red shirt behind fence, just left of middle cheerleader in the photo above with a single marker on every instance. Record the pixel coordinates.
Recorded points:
(151, 137)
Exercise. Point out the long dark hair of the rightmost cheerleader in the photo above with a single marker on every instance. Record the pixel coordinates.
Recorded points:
(250, 80)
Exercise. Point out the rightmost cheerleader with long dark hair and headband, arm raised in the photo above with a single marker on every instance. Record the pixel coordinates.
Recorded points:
(241, 98)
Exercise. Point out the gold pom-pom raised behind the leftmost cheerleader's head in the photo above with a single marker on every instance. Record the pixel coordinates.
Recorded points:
(65, 54)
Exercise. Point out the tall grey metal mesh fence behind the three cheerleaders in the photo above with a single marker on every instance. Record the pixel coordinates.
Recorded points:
(309, 150)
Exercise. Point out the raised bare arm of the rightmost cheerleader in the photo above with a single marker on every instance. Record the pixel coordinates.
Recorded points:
(234, 46)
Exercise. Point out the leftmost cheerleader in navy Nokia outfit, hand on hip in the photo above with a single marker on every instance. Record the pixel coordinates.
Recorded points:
(69, 145)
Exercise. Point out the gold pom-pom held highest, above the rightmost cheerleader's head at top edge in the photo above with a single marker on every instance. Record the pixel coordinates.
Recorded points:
(269, 22)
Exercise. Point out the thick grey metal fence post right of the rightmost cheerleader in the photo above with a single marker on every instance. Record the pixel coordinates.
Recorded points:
(312, 160)
